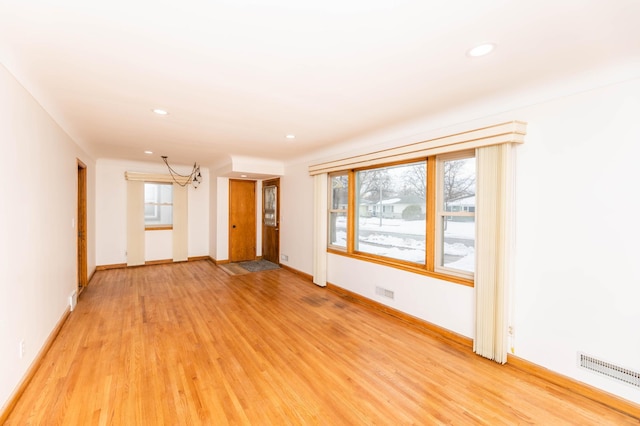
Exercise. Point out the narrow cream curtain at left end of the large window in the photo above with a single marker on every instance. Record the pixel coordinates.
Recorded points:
(320, 229)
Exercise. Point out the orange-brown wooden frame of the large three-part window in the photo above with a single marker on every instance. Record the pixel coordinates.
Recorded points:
(429, 267)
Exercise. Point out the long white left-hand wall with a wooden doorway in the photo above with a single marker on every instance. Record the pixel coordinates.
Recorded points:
(38, 181)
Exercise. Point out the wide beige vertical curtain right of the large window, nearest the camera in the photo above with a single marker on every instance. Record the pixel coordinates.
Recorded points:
(494, 249)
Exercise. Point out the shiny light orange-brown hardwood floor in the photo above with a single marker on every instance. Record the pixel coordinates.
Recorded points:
(188, 344)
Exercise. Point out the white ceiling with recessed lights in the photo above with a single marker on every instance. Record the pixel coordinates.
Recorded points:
(238, 75)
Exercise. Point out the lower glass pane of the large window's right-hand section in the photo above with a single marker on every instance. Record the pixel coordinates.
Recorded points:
(458, 251)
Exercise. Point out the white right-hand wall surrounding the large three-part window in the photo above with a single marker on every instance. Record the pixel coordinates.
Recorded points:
(577, 282)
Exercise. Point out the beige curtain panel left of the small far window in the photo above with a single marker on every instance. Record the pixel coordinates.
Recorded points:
(135, 223)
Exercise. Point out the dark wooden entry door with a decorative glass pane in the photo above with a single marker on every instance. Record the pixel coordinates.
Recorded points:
(271, 220)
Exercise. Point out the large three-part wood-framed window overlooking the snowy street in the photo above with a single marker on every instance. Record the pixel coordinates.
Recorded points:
(418, 215)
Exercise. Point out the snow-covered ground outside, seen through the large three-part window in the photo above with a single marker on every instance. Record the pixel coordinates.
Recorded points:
(384, 240)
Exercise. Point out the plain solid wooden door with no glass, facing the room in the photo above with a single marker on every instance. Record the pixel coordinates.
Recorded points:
(242, 220)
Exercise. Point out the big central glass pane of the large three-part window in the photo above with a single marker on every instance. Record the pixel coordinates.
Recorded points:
(391, 211)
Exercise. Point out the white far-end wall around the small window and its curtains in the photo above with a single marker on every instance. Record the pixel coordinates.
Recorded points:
(111, 214)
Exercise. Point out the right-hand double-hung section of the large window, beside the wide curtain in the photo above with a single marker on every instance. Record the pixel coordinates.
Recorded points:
(455, 215)
